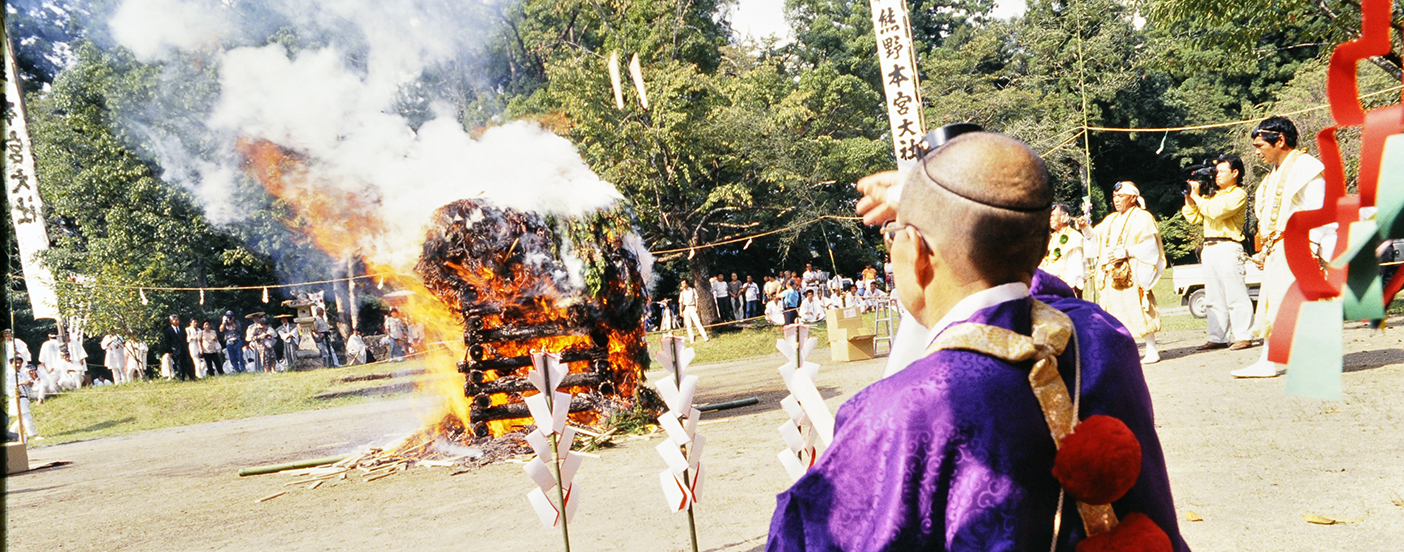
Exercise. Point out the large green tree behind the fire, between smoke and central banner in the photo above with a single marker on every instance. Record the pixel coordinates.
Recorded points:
(735, 143)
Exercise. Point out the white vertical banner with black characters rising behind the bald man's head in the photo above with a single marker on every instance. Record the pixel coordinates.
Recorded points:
(899, 78)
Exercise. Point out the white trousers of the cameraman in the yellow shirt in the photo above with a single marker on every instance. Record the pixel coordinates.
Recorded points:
(1231, 310)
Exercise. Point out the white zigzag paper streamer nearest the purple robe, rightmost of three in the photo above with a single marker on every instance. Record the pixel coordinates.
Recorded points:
(809, 418)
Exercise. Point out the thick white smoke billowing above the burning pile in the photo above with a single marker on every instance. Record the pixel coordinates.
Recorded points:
(343, 117)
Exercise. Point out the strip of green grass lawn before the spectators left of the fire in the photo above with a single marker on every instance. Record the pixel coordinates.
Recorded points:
(121, 409)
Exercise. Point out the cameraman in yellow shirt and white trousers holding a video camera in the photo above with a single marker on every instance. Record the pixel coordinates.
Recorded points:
(1224, 214)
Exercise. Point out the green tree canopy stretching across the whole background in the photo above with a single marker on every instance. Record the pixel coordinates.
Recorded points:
(741, 138)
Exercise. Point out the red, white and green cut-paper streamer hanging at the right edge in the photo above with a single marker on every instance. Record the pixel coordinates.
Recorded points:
(1311, 315)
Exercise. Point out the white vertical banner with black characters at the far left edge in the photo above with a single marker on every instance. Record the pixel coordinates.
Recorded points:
(26, 207)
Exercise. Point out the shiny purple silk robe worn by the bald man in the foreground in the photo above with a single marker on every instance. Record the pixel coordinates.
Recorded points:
(954, 454)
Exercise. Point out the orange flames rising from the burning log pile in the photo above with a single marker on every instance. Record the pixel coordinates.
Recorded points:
(332, 210)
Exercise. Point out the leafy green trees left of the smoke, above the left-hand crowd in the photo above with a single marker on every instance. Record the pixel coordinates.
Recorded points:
(113, 223)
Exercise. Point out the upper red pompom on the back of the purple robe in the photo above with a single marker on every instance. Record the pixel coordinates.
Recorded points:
(1100, 461)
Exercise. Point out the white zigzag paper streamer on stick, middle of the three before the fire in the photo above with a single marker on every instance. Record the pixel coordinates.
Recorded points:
(683, 450)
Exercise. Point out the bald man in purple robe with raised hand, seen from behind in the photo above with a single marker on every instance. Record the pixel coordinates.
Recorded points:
(955, 452)
